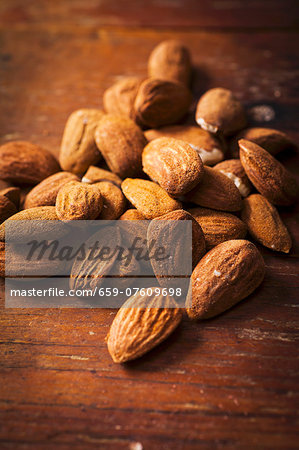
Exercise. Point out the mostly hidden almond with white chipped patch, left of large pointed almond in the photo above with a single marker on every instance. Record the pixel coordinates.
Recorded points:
(234, 170)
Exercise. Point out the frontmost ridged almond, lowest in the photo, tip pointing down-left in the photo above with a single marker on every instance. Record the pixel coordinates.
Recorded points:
(140, 325)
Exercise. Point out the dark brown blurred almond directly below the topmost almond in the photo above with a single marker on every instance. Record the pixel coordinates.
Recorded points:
(161, 102)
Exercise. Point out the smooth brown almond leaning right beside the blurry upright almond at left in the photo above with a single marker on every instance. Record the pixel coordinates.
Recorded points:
(121, 143)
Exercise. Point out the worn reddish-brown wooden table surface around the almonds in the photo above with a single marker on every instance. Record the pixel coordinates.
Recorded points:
(231, 382)
